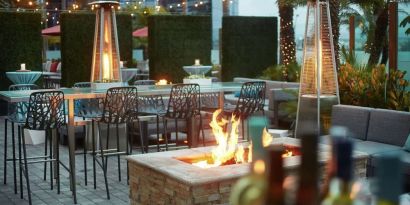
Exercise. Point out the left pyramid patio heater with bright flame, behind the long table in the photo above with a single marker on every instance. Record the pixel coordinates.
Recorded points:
(105, 70)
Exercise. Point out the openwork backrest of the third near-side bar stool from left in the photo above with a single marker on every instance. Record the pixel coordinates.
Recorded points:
(184, 102)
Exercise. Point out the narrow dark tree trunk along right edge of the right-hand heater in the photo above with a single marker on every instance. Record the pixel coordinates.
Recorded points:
(334, 6)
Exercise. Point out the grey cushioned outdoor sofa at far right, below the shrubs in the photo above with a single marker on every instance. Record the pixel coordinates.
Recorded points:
(375, 131)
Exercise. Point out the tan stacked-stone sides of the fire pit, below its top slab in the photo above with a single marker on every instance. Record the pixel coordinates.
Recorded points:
(150, 187)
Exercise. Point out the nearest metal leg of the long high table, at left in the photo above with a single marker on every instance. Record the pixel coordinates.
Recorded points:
(71, 147)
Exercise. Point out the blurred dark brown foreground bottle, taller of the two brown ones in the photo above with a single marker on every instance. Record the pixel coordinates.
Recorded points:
(307, 193)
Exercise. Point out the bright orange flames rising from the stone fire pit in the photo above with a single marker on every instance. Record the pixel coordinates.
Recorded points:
(227, 143)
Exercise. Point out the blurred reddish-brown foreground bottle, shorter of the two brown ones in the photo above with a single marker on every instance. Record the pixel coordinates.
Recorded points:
(275, 192)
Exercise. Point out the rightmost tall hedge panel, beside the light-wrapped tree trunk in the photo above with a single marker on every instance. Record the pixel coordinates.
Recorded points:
(249, 45)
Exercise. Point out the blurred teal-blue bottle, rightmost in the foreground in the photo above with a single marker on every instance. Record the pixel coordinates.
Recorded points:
(388, 178)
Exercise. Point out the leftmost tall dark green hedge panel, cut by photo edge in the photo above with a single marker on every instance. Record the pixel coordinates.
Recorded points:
(20, 42)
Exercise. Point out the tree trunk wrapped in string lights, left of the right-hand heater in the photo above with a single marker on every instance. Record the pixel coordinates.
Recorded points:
(287, 33)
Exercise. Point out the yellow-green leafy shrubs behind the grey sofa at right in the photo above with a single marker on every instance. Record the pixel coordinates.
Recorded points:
(372, 87)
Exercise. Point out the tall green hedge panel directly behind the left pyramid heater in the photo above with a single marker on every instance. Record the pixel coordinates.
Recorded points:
(77, 38)
